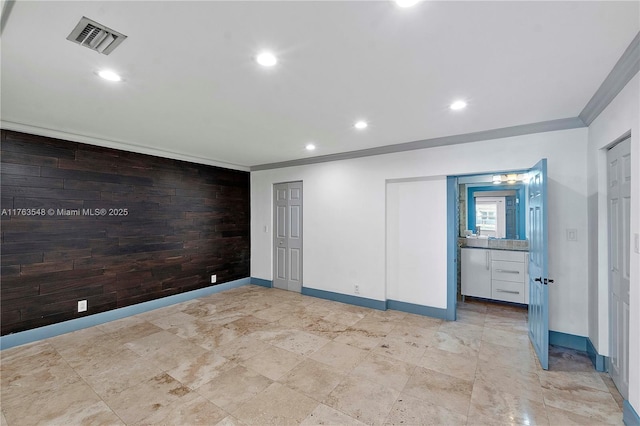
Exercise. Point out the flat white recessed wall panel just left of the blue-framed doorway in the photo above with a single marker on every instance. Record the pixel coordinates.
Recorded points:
(413, 218)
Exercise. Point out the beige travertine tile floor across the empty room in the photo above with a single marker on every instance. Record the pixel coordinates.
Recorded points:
(253, 355)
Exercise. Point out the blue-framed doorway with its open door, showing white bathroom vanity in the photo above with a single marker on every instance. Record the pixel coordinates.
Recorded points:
(492, 266)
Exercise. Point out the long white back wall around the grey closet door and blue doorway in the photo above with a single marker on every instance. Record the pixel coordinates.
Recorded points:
(344, 216)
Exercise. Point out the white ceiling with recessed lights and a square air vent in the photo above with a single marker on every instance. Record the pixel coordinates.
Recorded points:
(193, 88)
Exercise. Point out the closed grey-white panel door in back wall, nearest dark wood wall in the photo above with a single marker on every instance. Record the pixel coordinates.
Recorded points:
(287, 236)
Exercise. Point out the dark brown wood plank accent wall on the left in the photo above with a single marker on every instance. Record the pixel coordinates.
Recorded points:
(182, 223)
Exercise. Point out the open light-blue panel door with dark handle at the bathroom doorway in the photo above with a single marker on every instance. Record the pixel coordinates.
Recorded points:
(538, 262)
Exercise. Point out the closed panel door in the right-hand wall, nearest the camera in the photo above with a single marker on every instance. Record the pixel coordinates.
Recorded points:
(619, 206)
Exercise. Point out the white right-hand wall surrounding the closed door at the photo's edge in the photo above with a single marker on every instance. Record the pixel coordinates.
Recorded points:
(622, 115)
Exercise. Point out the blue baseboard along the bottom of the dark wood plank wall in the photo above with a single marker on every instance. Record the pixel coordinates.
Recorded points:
(29, 336)
